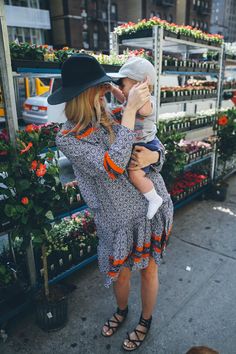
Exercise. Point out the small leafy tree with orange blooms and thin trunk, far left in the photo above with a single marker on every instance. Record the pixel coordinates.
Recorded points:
(31, 188)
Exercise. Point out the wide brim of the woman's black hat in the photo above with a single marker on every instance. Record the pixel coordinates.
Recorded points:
(65, 94)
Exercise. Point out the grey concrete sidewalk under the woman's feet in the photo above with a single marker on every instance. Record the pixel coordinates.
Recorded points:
(195, 307)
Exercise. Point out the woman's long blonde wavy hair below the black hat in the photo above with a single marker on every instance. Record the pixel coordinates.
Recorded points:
(90, 108)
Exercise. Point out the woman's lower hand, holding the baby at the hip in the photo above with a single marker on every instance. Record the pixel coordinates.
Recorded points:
(142, 157)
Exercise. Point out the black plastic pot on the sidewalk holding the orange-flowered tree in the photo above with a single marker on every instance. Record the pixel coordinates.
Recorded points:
(52, 315)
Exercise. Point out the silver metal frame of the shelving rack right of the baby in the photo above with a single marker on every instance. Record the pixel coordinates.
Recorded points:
(159, 43)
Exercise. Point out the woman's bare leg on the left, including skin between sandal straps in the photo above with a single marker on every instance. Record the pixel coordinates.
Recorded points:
(121, 289)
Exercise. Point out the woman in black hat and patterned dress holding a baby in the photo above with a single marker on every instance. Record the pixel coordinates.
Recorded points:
(100, 150)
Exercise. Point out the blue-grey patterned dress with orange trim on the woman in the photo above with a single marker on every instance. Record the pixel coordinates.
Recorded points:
(126, 237)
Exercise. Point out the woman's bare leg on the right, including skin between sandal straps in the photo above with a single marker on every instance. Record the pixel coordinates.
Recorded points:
(149, 292)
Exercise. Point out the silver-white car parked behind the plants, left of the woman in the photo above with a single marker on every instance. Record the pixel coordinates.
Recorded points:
(36, 109)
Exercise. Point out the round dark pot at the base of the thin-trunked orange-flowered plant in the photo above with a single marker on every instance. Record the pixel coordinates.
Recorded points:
(52, 313)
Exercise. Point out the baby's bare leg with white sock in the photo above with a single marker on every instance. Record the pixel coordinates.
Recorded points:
(145, 186)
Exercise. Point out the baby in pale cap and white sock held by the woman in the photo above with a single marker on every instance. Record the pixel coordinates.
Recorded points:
(136, 70)
